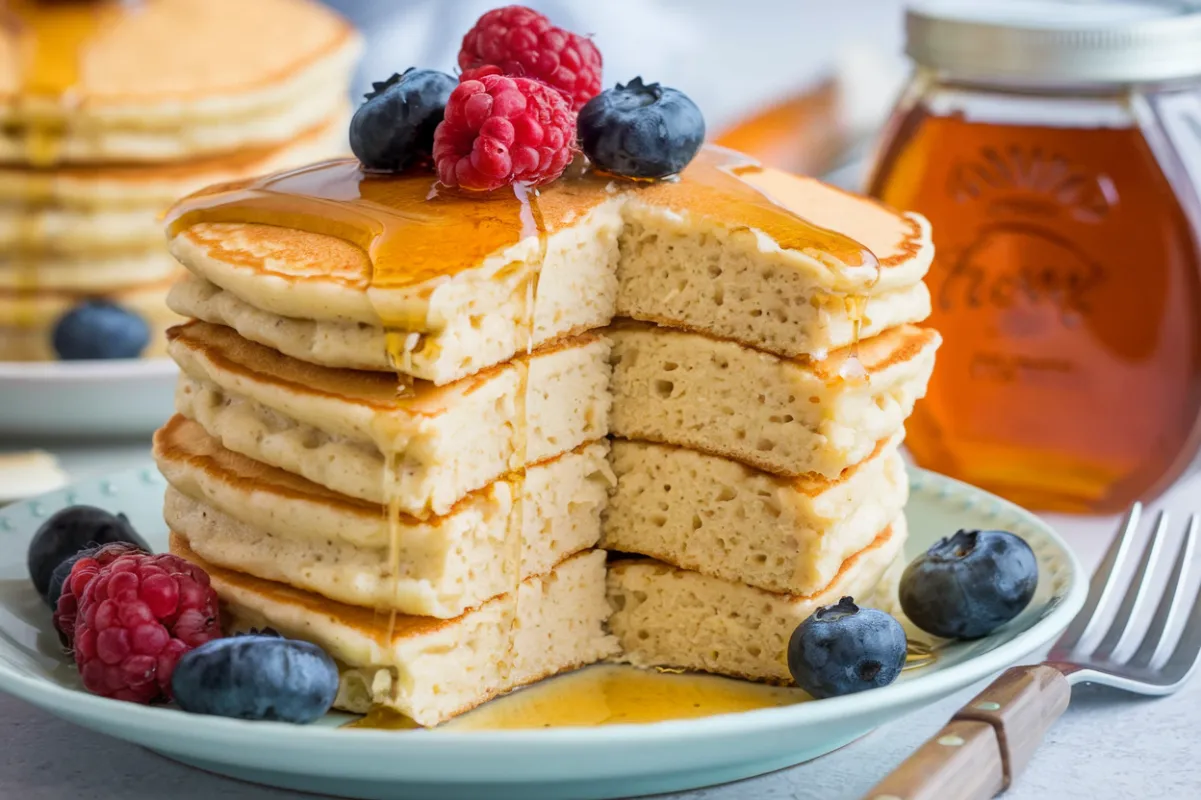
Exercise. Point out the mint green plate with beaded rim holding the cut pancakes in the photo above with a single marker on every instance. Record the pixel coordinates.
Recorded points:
(608, 762)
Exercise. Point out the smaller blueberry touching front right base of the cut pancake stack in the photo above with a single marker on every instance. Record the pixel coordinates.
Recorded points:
(843, 649)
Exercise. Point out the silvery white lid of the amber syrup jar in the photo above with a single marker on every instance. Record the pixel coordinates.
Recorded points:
(1057, 43)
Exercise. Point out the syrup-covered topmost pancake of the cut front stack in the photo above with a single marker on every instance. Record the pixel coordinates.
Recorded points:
(449, 267)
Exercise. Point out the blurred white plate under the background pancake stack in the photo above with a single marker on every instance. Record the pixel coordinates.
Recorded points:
(86, 399)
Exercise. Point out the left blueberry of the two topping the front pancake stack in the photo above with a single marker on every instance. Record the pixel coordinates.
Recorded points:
(396, 127)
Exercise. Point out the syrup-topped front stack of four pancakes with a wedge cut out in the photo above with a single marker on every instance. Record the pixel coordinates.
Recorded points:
(397, 404)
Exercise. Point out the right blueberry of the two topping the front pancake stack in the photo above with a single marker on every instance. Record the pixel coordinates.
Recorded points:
(641, 130)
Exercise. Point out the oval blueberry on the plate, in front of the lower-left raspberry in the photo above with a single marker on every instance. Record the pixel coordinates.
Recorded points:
(256, 677)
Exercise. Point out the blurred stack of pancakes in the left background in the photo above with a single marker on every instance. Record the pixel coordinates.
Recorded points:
(111, 111)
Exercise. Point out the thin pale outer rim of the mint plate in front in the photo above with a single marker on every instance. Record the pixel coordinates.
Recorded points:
(74, 705)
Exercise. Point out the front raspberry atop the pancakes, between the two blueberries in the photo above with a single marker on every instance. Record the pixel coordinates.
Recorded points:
(501, 130)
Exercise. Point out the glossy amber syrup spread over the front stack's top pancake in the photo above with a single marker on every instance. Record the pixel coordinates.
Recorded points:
(414, 236)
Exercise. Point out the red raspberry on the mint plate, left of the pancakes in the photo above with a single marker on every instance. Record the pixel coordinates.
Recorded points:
(138, 617)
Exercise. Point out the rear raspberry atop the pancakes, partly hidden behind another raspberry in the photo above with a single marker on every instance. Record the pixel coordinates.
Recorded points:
(521, 43)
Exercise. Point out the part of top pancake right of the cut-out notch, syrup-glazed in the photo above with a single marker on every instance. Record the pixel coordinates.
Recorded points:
(763, 258)
